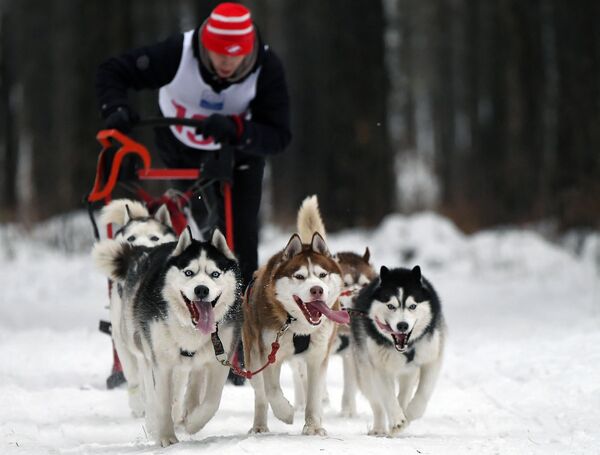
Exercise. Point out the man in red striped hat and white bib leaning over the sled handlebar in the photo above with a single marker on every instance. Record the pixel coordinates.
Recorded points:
(221, 72)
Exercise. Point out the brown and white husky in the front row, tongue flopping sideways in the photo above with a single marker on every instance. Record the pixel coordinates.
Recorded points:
(294, 299)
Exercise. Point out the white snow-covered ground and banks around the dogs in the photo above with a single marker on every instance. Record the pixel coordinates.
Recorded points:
(521, 375)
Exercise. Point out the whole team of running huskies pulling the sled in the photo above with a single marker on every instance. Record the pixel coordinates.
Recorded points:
(171, 297)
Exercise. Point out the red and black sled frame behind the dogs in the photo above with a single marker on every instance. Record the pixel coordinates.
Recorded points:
(117, 148)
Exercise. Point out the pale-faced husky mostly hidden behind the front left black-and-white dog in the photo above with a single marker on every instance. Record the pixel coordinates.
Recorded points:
(138, 227)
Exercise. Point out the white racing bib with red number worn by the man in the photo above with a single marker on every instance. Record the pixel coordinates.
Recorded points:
(188, 96)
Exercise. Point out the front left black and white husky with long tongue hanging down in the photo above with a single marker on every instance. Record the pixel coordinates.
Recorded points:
(177, 296)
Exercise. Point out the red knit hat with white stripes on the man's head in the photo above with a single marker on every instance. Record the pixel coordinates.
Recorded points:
(229, 30)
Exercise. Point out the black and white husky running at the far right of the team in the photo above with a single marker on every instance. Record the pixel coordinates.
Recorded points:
(398, 342)
